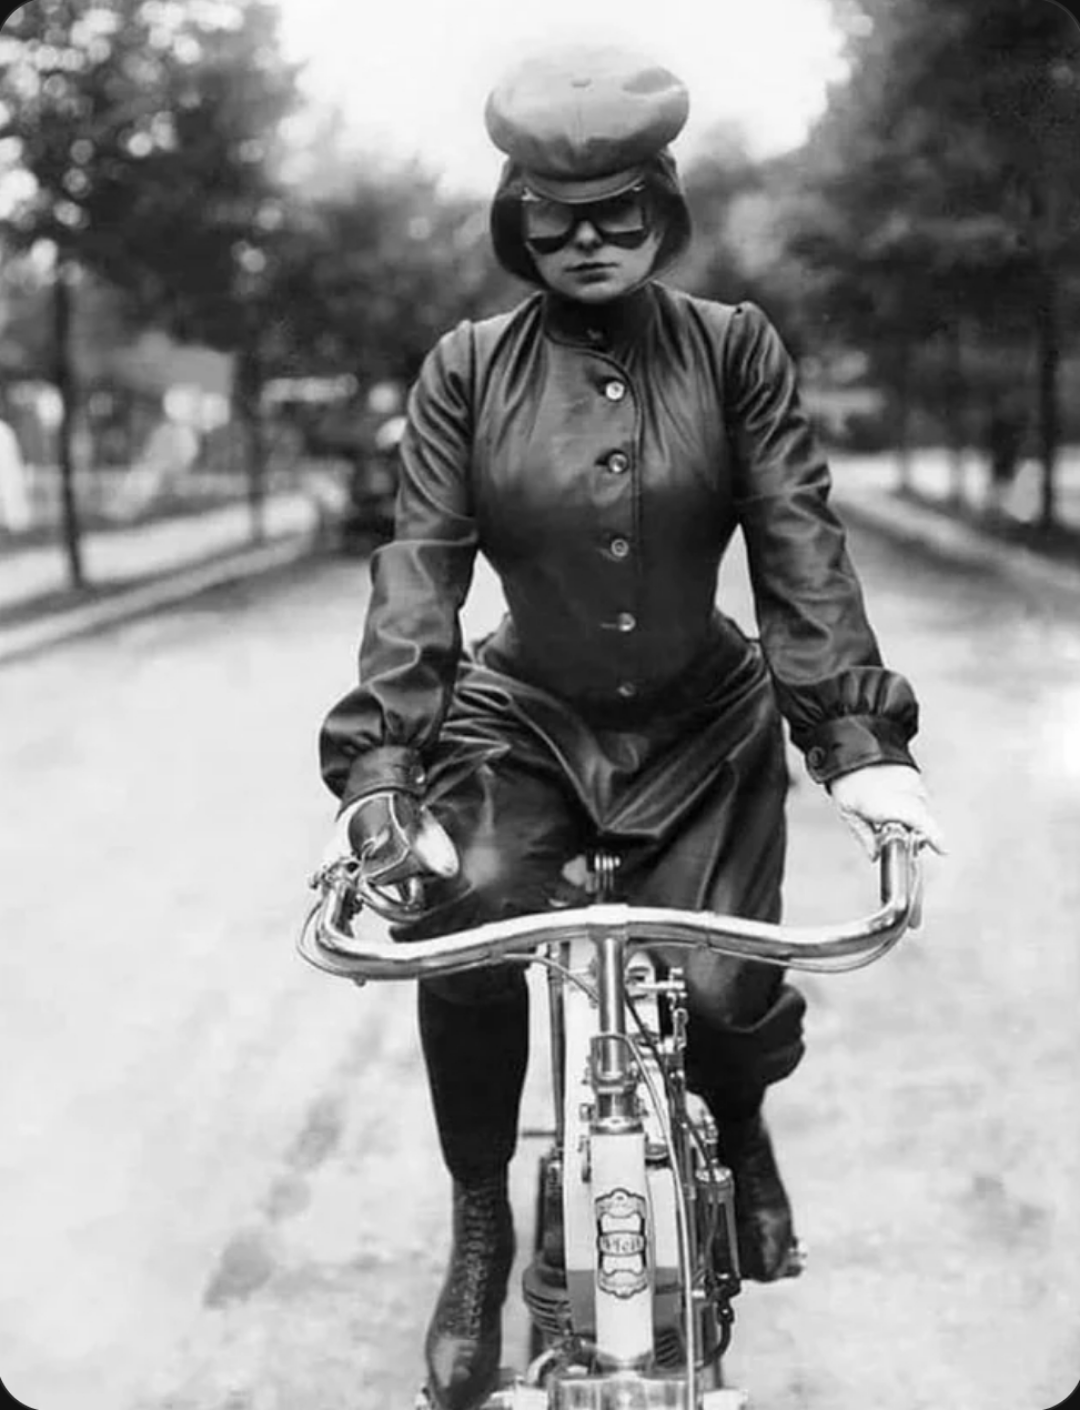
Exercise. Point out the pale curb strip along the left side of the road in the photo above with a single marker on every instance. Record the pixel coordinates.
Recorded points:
(20, 642)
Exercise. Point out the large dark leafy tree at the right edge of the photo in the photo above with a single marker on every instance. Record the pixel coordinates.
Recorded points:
(943, 188)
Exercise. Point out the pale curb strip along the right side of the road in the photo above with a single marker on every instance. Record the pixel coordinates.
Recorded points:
(952, 541)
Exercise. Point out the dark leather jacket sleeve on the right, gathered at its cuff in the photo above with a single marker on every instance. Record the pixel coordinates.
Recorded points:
(844, 707)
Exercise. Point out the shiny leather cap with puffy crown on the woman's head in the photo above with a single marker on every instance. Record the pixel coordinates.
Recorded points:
(582, 123)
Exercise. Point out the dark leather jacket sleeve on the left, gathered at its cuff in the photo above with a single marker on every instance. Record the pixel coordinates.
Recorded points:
(379, 734)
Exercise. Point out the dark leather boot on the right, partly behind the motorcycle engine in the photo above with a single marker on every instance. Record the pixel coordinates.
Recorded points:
(768, 1244)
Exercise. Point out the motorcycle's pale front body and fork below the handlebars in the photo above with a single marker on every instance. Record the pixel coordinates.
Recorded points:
(610, 1181)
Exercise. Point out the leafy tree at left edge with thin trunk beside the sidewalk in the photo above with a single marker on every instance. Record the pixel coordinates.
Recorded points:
(139, 129)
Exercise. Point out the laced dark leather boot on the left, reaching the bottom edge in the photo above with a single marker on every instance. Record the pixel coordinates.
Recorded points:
(465, 1342)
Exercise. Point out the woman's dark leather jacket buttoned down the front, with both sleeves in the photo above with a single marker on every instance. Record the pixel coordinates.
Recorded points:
(603, 460)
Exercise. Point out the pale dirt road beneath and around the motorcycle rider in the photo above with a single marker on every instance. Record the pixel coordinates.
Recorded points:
(219, 1188)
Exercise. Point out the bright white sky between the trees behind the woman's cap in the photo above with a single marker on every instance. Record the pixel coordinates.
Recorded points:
(412, 75)
